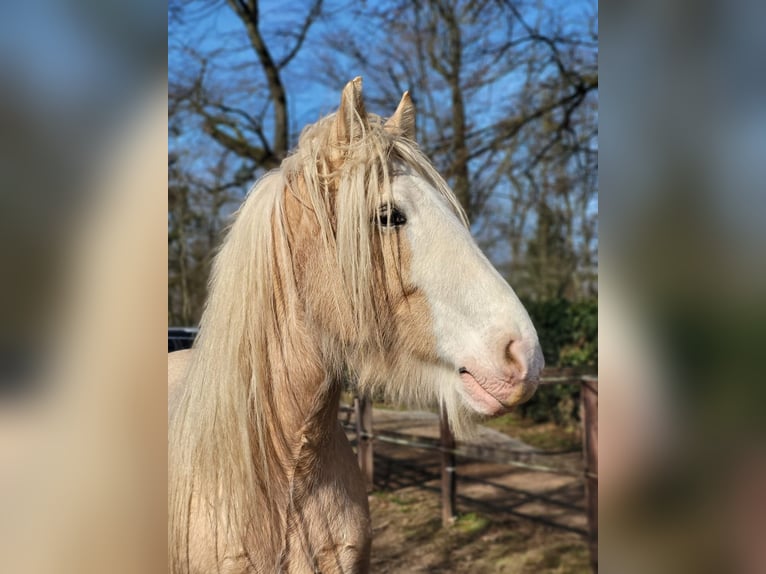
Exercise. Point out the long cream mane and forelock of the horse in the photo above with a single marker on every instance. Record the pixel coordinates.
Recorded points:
(224, 442)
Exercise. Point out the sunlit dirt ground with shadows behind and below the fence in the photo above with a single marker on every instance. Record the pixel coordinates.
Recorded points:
(510, 520)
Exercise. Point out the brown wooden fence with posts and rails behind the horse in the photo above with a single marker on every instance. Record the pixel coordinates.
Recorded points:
(450, 449)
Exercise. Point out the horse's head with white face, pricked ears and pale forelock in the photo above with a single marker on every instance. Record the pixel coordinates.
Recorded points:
(392, 273)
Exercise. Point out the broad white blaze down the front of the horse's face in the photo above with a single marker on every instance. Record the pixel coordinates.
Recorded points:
(475, 312)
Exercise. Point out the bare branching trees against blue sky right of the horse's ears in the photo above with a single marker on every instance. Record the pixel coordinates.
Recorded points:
(507, 111)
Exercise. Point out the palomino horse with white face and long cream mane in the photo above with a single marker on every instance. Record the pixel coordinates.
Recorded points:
(354, 258)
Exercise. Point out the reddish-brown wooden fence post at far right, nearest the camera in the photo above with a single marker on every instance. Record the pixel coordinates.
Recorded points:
(589, 403)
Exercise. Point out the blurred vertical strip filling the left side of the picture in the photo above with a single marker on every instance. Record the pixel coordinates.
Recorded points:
(83, 272)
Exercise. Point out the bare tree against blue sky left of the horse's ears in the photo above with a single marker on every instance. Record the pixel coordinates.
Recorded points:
(229, 113)
